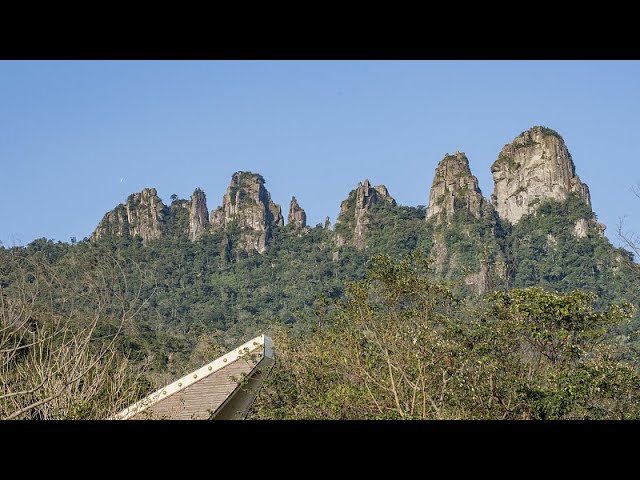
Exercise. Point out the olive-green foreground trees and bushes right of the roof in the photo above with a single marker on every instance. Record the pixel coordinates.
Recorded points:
(400, 346)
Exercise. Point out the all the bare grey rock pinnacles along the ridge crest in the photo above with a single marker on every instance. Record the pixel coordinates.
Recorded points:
(534, 167)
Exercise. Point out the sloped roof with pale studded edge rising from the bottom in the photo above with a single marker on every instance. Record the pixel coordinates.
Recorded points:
(224, 388)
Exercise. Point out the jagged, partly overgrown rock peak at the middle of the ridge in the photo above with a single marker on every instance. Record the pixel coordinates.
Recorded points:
(354, 211)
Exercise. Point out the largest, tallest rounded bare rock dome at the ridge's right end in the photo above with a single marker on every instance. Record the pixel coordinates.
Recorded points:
(536, 166)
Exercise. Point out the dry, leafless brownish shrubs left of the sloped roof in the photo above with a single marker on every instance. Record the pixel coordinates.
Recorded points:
(60, 340)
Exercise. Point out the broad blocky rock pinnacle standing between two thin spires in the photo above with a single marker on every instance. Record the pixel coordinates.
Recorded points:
(248, 203)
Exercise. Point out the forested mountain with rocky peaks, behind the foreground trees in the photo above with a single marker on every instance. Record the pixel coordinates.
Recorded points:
(224, 275)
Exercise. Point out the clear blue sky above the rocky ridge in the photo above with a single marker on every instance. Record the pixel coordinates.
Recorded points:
(77, 137)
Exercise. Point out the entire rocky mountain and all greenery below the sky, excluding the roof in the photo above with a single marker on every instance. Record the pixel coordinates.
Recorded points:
(518, 307)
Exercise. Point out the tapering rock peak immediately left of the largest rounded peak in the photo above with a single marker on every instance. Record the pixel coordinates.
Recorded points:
(454, 189)
